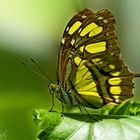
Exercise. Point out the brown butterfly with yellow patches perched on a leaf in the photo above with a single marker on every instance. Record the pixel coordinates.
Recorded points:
(90, 71)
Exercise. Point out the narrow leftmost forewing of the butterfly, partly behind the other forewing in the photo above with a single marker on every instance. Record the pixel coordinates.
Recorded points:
(70, 34)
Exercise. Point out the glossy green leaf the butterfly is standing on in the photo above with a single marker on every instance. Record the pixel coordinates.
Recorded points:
(112, 122)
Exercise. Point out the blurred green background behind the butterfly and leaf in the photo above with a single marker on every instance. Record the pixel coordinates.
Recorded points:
(33, 29)
